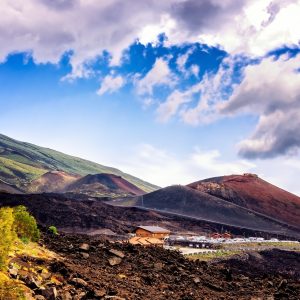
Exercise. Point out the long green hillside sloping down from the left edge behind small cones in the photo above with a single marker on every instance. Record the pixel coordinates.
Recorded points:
(22, 162)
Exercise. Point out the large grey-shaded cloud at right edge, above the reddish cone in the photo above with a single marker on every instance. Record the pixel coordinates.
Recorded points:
(270, 90)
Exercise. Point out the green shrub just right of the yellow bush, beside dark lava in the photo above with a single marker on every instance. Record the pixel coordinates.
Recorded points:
(25, 225)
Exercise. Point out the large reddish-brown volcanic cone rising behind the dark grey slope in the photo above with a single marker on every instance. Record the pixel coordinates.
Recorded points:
(251, 192)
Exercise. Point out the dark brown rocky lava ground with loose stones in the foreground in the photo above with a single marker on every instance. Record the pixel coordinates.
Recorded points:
(93, 268)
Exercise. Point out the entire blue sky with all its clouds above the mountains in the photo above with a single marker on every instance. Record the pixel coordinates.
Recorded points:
(170, 92)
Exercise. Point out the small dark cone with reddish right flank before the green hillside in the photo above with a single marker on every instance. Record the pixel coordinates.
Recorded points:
(103, 185)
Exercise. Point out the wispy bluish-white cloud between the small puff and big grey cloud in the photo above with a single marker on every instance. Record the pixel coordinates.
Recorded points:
(208, 93)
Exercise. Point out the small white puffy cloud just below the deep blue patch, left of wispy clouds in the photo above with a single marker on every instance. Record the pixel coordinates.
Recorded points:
(159, 75)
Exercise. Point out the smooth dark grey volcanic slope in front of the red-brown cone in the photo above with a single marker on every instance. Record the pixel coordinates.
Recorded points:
(185, 201)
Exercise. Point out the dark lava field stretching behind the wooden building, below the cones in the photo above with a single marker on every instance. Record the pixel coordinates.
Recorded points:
(80, 213)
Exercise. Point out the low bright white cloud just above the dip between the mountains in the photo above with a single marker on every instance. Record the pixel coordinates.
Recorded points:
(164, 168)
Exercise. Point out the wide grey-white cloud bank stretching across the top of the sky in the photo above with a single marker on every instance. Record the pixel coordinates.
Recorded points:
(48, 29)
